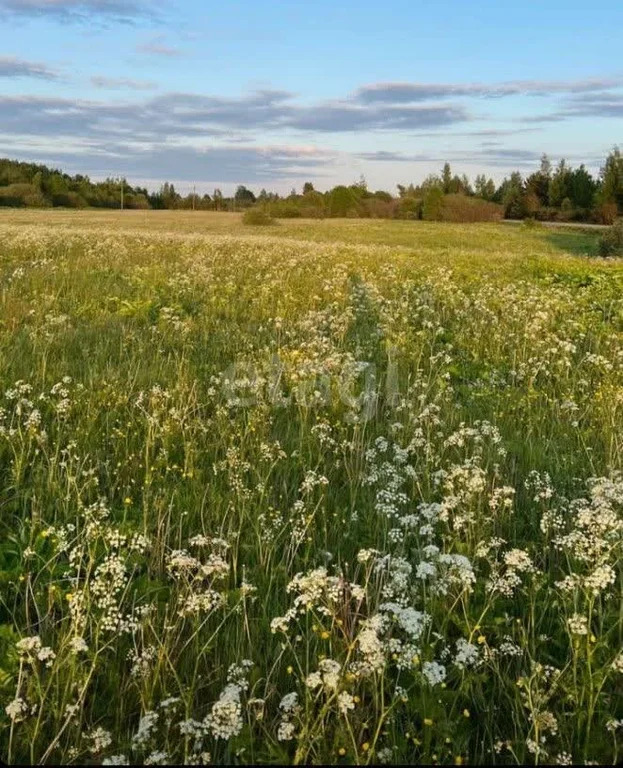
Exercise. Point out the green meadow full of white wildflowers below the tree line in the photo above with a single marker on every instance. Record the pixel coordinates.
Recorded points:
(336, 491)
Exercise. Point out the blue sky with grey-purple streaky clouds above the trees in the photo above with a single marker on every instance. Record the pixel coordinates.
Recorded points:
(273, 94)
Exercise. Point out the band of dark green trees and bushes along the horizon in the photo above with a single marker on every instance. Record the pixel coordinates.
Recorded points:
(554, 193)
